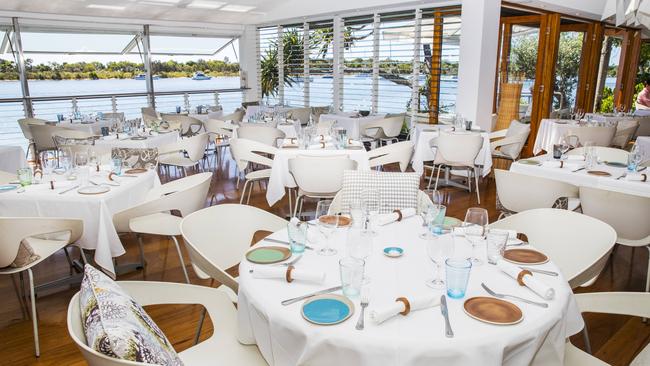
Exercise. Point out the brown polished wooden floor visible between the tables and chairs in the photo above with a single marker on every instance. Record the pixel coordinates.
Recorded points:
(614, 339)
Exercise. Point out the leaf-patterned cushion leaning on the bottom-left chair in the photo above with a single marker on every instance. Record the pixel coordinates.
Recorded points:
(116, 326)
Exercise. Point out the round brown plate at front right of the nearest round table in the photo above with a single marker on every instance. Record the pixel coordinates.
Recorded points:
(493, 311)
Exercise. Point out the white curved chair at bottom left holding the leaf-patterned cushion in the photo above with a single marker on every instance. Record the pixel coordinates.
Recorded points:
(221, 348)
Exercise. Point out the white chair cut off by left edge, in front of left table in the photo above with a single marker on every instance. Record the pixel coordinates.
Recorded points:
(45, 236)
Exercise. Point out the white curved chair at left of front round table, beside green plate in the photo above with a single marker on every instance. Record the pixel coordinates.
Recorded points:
(236, 225)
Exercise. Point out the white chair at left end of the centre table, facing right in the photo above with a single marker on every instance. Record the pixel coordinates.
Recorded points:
(247, 153)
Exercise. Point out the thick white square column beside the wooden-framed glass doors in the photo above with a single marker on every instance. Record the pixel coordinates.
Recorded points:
(478, 56)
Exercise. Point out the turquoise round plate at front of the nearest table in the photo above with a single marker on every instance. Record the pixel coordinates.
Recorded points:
(327, 309)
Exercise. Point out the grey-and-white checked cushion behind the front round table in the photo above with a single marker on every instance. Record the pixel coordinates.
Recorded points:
(397, 190)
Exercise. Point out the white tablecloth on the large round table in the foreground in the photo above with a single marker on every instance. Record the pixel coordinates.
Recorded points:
(285, 338)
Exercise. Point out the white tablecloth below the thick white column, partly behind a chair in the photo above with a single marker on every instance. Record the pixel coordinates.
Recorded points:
(423, 152)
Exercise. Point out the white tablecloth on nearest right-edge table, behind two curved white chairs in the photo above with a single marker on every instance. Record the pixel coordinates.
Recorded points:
(581, 178)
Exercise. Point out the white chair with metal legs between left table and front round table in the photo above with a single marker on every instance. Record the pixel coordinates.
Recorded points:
(154, 217)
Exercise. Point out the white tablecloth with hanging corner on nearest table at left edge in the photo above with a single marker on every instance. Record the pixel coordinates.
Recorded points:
(95, 210)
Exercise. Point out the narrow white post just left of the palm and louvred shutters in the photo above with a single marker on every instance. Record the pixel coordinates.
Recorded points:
(249, 64)
